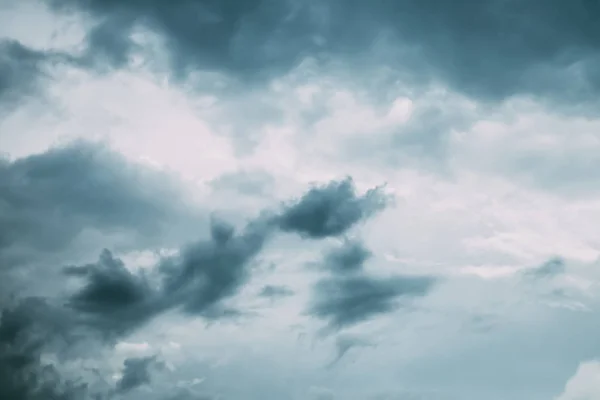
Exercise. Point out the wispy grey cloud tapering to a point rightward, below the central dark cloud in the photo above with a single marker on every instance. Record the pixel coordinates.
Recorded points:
(345, 301)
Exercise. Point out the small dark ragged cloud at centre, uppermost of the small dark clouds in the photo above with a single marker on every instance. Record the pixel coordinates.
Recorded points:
(330, 210)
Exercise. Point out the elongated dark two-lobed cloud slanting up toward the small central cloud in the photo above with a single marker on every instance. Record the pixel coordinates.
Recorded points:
(115, 301)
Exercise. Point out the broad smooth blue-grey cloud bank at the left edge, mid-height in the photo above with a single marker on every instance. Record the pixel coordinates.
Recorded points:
(48, 199)
